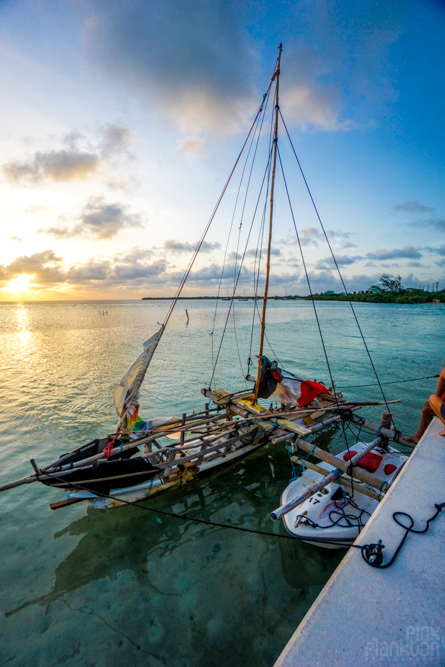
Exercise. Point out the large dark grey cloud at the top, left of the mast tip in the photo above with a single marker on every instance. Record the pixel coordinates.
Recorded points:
(188, 60)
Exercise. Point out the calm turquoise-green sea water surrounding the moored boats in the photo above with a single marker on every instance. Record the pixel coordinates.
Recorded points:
(126, 586)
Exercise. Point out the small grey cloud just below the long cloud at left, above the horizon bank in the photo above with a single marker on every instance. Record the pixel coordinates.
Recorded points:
(98, 220)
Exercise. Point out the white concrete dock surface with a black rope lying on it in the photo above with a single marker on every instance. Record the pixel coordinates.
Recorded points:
(395, 616)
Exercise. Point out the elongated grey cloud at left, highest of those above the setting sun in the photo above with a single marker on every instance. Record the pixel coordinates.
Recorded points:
(72, 163)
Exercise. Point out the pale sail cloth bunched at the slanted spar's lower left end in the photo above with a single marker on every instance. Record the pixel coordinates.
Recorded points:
(126, 392)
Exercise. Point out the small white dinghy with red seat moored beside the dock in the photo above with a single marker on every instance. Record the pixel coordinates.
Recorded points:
(335, 513)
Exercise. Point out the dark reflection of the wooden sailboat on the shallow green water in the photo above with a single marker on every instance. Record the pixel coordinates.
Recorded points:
(129, 539)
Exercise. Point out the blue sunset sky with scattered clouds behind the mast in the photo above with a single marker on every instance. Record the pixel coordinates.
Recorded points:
(121, 121)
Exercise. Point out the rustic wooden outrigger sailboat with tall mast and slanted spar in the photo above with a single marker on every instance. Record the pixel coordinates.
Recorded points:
(145, 457)
